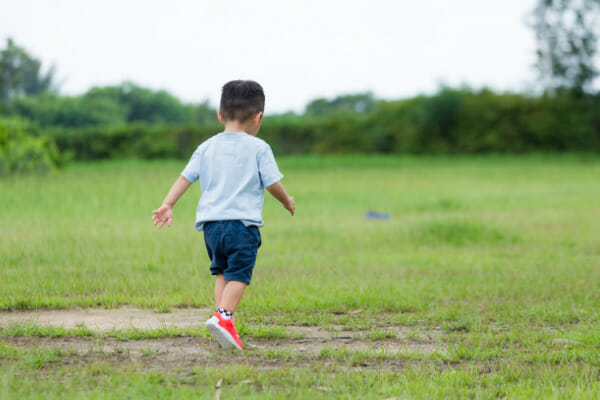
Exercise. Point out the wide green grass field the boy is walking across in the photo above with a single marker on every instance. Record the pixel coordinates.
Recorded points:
(484, 282)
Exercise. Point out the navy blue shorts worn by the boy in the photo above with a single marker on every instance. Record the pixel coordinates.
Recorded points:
(232, 249)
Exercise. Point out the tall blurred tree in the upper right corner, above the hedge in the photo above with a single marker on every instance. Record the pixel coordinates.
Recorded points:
(567, 38)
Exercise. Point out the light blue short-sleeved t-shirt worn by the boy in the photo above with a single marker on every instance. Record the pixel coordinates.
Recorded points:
(233, 169)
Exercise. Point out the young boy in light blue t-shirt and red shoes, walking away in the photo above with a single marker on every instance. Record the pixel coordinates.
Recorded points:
(233, 167)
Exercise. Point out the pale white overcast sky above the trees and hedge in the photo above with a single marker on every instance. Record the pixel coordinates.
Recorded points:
(298, 50)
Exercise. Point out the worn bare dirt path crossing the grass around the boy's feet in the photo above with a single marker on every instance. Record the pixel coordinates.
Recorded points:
(308, 343)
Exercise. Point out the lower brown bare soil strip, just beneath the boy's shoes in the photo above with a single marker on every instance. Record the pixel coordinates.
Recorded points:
(182, 354)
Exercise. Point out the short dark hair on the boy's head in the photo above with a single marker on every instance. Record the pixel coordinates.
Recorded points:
(240, 100)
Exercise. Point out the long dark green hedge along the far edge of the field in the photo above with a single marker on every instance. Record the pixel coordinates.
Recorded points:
(450, 122)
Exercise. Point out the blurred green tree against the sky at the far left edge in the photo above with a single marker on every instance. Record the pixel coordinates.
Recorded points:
(20, 73)
